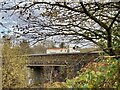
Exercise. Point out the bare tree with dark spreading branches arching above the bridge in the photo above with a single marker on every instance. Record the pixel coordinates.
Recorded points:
(73, 21)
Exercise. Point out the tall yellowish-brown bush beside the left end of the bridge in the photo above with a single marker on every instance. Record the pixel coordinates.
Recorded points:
(14, 69)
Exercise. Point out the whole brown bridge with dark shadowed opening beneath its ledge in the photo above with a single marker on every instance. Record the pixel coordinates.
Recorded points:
(56, 67)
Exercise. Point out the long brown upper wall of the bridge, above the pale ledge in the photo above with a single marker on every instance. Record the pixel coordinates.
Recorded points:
(60, 59)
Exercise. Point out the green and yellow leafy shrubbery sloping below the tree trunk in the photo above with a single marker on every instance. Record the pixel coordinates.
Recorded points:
(97, 75)
